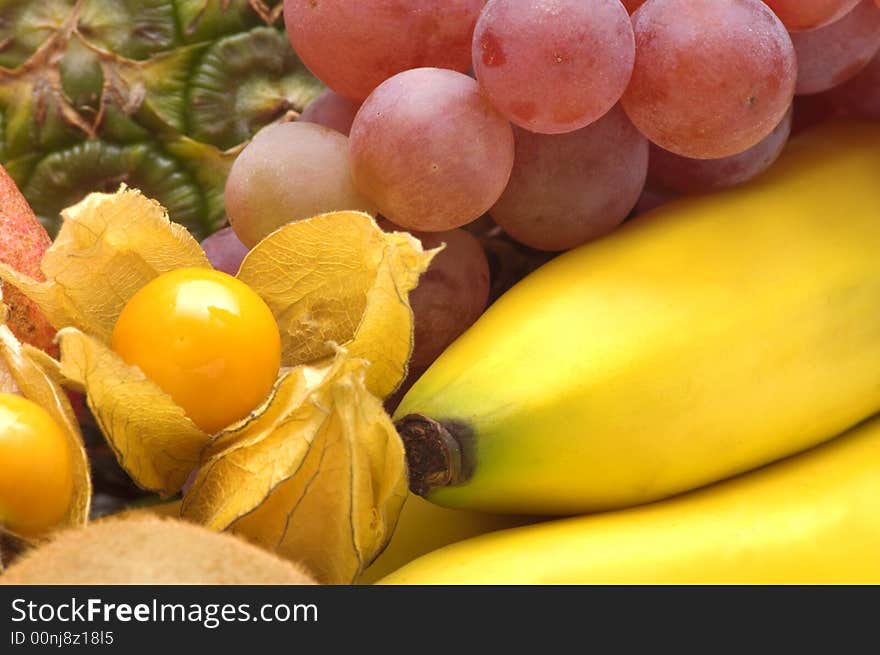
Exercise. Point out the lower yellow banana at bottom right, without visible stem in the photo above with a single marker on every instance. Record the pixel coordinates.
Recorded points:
(810, 519)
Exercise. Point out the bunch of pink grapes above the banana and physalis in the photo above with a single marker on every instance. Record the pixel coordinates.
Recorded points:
(554, 117)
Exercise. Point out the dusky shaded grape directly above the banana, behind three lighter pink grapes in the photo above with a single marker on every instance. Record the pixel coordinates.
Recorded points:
(567, 189)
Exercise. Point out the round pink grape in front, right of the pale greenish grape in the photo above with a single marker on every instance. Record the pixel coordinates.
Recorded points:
(429, 149)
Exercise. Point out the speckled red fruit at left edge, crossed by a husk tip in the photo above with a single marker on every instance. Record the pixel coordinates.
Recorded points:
(23, 240)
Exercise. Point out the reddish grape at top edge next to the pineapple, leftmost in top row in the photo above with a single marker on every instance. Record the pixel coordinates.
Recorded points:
(355, 45)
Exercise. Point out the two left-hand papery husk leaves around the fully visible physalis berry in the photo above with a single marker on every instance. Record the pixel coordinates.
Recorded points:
(109, 246)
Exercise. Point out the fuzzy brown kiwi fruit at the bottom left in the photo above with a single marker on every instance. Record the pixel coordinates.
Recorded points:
(150, 550)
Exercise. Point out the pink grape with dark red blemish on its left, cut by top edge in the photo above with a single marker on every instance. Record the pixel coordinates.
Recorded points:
(553, 66)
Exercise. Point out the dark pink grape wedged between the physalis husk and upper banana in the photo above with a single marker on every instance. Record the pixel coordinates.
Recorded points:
(451, 294)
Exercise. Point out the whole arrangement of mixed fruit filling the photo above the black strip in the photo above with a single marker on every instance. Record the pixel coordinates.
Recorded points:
(596, 280)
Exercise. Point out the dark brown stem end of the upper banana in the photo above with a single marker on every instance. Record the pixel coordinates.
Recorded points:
(438, 453)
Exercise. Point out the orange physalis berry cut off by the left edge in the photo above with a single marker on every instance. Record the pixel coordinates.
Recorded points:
(36, 468)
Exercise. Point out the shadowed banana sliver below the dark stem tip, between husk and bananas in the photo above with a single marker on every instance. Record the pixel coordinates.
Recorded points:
(424, 527)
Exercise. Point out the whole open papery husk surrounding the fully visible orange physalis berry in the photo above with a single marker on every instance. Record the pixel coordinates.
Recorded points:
(317, 472)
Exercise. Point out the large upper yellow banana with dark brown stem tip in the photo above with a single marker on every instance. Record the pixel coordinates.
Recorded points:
(706, 338)
